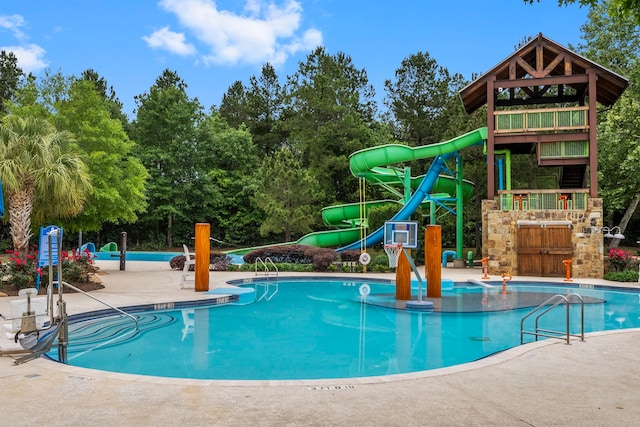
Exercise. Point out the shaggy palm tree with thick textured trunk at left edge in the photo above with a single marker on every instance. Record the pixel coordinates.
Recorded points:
(43, 175)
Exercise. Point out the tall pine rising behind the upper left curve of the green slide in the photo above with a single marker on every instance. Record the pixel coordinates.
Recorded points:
(328, 115)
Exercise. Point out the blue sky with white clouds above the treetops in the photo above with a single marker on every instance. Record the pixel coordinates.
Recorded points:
(211, 44)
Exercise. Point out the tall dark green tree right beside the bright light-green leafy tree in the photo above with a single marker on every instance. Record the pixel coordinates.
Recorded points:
(165, 131)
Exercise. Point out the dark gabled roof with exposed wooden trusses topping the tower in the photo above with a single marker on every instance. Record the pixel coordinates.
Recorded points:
(542, 59)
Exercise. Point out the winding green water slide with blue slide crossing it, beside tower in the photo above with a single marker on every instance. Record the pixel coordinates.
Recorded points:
(375, 165)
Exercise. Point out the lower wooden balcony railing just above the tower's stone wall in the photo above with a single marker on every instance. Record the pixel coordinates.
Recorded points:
(528, 200)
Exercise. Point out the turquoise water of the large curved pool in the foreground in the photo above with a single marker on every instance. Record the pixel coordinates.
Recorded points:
(317, 329)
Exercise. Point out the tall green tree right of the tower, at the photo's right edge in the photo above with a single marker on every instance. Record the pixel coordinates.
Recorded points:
(615, 42)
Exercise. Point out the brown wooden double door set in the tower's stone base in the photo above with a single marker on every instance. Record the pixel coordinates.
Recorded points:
(542, 248)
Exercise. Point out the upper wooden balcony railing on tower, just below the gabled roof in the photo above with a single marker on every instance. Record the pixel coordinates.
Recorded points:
(541, 120)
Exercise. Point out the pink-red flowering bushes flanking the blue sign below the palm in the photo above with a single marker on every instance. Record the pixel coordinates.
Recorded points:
(22, 272)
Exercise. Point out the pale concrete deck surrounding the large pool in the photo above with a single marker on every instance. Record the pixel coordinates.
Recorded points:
(596, 382)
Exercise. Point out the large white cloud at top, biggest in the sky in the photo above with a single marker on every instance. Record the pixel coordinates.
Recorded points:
(264, 32)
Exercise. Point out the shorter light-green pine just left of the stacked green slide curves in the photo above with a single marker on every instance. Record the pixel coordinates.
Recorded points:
(287, 195)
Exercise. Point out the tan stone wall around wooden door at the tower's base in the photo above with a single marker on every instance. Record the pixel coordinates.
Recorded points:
(499, 237)
